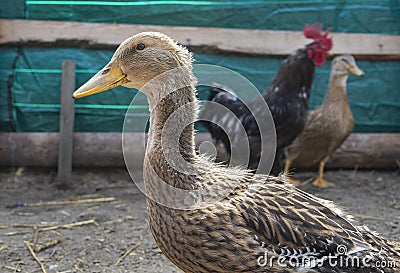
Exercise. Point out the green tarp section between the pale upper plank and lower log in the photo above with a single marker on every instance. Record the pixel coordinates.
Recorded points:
(36, 89)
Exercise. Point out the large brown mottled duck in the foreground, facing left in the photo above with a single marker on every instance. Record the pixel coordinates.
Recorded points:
(258, 218)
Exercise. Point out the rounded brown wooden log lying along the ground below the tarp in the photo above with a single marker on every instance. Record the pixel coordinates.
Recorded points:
(371, 151)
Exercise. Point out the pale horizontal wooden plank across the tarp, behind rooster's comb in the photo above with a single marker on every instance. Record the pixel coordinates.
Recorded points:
(243, 41)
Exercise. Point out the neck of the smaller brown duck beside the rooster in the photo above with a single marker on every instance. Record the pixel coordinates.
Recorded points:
(337, 88)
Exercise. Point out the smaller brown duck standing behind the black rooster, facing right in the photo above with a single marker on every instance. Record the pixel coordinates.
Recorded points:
(327, 126)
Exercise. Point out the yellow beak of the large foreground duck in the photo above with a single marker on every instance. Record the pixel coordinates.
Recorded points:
(109, 77)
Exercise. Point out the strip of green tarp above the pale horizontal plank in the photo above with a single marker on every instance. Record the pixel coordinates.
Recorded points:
(375, 16)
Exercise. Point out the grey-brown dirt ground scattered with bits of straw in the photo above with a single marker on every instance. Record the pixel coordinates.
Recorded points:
(105, 218)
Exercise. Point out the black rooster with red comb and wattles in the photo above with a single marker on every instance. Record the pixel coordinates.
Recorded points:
(287, 98)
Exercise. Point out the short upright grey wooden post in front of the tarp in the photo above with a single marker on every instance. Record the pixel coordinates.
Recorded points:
(66, 123)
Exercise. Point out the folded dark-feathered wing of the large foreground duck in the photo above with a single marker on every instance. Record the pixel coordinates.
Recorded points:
(288, 221)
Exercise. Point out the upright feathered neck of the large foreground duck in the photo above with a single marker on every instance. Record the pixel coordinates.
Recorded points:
(170, 147)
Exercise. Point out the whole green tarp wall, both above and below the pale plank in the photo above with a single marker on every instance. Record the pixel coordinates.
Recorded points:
(30, 78)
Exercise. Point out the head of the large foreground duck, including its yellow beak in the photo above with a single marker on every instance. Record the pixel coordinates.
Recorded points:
(136, 61)
